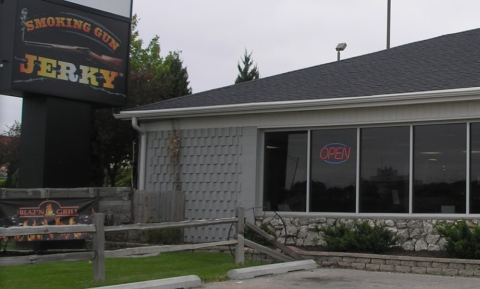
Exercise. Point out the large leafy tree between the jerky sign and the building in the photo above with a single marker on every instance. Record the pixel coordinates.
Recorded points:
(152, 78)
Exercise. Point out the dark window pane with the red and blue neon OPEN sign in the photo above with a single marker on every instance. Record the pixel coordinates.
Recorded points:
(333, 170)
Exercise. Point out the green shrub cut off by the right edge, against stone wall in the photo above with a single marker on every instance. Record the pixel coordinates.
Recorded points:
(463, 241)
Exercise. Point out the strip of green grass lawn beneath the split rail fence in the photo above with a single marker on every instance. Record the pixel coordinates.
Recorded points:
(78, 275)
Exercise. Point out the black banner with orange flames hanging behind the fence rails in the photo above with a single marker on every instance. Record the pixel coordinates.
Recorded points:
(40, 212)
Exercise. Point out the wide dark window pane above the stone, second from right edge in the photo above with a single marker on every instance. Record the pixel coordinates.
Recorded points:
(440, 169)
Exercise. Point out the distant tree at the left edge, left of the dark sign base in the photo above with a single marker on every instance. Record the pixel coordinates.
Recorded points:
(10, 153)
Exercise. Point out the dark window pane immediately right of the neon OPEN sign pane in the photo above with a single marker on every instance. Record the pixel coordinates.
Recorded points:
(384, 170)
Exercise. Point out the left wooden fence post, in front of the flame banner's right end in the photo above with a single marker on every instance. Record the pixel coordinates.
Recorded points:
(99, 248)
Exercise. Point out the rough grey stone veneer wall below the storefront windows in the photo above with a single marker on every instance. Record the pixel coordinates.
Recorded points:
(413, 234)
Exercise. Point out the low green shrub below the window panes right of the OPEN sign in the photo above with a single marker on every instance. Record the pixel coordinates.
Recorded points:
(361, 238)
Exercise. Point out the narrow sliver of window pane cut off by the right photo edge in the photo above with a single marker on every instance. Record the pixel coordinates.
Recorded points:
(475, 168)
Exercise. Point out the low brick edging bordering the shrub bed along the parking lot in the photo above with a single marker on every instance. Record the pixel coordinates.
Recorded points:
(401, 264)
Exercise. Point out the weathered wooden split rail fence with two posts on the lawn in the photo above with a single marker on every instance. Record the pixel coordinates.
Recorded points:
(98, 254)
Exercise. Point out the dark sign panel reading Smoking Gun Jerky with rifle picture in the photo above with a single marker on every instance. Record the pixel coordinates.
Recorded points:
(69, 52)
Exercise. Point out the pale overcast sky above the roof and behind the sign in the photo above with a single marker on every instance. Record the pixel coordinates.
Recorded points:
(283, 35)
